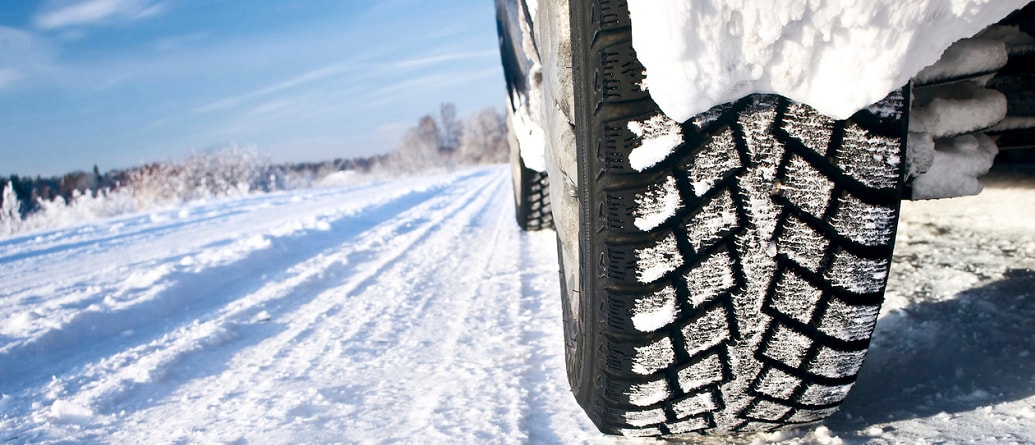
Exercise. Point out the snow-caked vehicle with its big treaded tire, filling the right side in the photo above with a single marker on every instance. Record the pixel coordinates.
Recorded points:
(725, 181)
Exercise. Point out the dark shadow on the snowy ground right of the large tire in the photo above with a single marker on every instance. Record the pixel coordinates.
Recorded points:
(950, 357)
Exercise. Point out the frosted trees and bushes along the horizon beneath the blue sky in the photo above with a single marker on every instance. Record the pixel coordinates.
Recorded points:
(441, 142)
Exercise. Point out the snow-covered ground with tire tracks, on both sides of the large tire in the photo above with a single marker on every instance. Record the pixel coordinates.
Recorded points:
(417, 312)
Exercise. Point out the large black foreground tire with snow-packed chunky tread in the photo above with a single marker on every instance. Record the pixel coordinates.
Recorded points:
(734, 285)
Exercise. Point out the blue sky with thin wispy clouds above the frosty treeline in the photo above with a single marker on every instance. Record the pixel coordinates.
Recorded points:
(119, 83)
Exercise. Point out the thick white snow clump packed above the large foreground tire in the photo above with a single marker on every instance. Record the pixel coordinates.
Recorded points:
(838, 56)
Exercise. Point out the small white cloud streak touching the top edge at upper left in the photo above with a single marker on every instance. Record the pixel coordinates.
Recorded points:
(94, 12)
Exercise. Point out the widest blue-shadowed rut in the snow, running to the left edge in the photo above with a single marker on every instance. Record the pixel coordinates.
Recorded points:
(185, 295)
